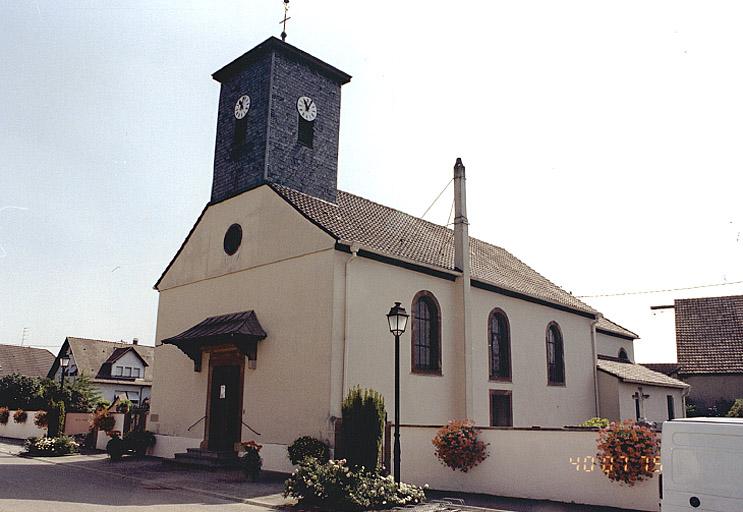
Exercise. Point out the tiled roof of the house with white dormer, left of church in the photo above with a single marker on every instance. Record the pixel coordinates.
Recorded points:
(90, 355)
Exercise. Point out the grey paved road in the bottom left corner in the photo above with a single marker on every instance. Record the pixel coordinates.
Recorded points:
(28, 485)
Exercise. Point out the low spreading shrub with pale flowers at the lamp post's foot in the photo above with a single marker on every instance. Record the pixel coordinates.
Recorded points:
(335, 486)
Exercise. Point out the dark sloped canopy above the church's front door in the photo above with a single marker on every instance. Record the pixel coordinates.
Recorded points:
(239, 329)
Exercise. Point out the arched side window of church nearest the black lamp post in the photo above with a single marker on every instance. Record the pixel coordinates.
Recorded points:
(426, 334)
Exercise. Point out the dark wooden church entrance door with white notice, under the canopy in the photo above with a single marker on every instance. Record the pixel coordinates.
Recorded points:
(224, 408)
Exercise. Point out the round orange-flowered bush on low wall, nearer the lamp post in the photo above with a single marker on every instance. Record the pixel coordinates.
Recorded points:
(457, 446)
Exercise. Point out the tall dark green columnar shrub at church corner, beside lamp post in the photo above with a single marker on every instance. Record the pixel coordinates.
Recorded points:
(363, 427)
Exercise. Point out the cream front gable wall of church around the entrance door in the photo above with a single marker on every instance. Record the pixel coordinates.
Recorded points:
(283, 271)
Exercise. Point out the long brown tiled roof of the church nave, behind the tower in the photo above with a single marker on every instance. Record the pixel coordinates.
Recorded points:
(403, 236)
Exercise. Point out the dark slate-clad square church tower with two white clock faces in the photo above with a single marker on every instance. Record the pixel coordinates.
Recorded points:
(278, 122)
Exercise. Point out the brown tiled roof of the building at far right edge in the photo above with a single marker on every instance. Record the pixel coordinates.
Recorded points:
(709, 334)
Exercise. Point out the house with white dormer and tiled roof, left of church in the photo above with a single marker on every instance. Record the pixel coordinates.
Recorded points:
(117, 369)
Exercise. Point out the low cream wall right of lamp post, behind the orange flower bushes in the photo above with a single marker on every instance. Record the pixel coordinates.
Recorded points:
(552, 465)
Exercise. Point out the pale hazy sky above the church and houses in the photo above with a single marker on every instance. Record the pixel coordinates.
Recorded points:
(602, 142)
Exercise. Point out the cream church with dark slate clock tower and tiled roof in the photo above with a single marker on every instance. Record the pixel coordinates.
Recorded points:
(274, 306)
